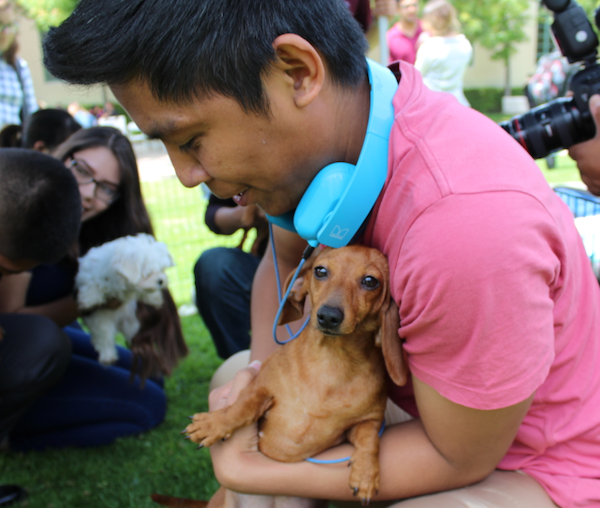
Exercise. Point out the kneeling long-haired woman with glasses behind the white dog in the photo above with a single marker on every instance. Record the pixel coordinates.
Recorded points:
(104, 165)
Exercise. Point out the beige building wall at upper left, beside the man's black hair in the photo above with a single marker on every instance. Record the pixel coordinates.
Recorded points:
(52, 93)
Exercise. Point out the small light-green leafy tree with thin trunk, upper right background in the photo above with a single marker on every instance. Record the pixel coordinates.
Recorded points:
(497, 26)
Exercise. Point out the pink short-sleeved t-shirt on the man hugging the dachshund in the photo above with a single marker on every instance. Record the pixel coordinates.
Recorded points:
(496, 294)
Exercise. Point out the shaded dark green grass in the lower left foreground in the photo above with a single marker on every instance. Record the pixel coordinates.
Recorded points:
(125, 473)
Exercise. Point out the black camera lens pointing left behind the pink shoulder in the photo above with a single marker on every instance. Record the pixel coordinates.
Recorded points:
(547, 128)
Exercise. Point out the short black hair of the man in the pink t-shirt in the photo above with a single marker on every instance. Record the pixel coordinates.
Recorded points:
(183, 49)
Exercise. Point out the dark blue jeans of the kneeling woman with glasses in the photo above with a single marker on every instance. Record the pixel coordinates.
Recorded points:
(92, 404)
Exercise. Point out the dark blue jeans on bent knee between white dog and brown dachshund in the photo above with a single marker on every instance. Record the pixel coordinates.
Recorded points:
(223, 280)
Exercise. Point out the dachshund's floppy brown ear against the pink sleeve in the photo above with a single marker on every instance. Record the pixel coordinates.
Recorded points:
(387, 338)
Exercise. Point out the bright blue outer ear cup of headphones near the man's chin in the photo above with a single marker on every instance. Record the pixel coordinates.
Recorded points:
(320, 199)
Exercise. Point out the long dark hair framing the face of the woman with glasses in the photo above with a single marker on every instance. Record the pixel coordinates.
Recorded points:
(128, 214)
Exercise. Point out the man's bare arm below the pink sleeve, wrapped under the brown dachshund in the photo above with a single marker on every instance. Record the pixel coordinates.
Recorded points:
(451, 446)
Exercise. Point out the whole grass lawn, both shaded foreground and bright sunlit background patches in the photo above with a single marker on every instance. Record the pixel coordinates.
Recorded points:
(126, 472)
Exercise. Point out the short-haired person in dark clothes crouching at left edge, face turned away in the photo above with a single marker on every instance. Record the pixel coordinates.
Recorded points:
(40, 212)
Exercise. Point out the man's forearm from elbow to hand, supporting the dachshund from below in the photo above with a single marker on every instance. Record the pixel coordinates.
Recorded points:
(409, 466)
